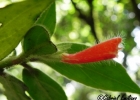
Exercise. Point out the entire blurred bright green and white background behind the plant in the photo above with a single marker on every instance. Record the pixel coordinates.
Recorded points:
(89, 22)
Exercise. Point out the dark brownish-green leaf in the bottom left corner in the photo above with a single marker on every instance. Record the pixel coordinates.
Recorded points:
(13, 88)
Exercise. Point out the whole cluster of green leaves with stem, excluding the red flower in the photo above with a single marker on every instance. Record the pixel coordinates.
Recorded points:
(32, 23)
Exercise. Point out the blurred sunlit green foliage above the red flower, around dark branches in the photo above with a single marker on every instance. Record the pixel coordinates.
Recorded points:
(110, 17)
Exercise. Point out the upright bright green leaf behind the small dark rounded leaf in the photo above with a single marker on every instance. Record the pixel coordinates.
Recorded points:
(48, 19)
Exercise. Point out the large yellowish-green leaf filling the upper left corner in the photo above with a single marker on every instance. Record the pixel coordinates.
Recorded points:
(16, 20)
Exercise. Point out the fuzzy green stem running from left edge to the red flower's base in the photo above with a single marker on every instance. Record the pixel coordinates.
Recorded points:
(22, 59)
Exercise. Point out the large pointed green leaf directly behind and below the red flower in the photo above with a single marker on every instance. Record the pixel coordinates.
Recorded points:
(106, 75)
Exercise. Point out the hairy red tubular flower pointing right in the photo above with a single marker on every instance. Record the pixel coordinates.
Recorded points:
(102, 51)
